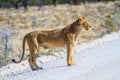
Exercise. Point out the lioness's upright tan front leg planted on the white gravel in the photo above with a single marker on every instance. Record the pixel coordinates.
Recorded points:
(70, 49)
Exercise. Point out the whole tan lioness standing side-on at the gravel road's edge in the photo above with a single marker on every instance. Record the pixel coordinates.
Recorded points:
(65, 37)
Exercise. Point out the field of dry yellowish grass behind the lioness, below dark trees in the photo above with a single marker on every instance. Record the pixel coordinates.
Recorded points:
(50, 17)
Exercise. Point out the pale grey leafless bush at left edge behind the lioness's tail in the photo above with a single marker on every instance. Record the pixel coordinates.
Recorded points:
(6, 35)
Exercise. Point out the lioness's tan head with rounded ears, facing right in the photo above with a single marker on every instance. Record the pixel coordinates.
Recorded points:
(83, 21)
